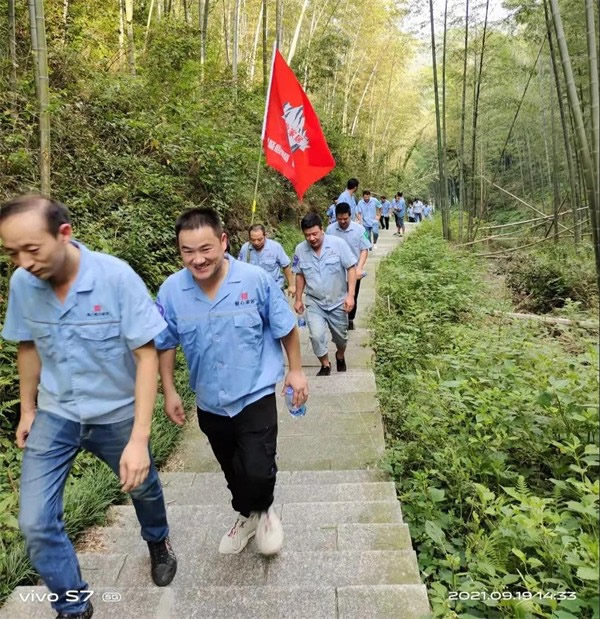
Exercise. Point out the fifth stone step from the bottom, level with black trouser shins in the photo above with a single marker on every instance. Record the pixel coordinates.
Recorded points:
(202, 493)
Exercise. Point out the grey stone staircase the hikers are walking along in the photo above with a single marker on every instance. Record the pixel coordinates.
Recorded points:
(347, 553)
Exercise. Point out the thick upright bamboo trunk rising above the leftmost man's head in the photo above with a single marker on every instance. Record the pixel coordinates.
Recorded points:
(44, 96)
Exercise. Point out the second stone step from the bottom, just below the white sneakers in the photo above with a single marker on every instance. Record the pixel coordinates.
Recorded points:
(201, 566)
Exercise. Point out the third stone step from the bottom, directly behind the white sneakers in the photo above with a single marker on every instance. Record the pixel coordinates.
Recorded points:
(298, 538)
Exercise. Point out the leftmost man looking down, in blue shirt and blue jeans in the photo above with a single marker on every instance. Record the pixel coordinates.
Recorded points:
(85, 324)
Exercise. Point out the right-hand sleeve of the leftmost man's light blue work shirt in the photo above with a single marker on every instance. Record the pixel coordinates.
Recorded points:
(141, 321)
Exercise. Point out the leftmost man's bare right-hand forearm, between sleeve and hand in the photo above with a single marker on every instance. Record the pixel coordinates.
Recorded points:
(146, 383)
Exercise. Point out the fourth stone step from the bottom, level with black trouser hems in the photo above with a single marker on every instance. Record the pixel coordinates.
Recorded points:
(306, 514)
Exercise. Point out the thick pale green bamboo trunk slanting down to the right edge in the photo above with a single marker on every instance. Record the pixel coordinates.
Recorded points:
(581, 136)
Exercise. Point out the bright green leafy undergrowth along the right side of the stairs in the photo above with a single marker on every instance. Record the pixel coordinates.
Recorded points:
(492, 439)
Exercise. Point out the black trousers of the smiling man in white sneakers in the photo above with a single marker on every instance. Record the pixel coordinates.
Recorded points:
(245, 446)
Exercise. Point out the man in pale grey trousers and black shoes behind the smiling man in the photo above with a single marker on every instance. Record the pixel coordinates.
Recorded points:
(326, 267)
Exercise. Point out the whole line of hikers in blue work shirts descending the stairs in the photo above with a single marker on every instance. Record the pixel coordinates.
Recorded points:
(92, 344)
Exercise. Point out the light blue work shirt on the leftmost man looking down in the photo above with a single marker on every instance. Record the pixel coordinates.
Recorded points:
(85, 344)
